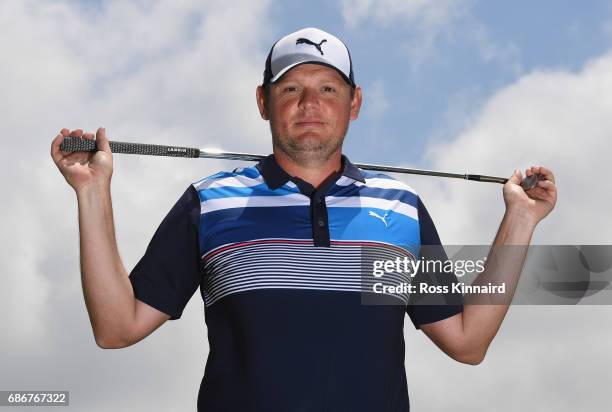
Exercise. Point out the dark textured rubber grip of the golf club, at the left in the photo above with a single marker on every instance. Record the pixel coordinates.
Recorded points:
(77, 144)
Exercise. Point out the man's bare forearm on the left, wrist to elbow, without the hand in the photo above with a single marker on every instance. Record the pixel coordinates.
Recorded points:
(106, 287)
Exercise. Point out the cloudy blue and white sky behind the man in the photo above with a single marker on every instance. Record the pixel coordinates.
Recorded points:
(456, 85)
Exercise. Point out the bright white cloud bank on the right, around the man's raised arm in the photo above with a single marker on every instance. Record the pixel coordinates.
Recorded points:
(562, 120)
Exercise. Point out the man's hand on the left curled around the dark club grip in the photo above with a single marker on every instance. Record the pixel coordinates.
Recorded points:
(81, 169)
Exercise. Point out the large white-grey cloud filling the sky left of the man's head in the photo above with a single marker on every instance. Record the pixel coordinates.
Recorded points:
(153, 71)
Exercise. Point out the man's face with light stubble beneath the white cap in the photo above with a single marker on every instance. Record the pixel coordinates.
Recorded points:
(309, 110)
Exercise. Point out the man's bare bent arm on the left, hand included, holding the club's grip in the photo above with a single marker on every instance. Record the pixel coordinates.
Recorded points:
(118, 319)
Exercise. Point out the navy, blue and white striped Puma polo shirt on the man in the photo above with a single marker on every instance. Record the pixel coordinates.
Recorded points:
(281, 266)
